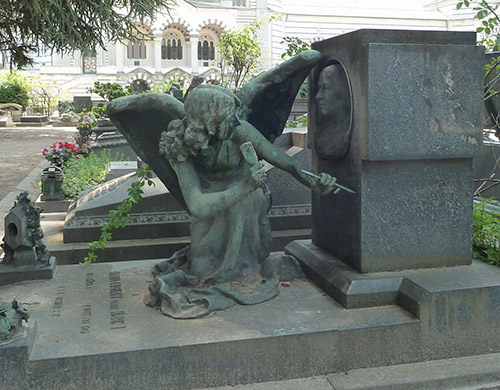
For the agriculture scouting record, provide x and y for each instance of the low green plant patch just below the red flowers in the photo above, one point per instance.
(84, 173)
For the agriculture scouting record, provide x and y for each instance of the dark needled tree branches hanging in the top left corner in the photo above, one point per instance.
(65, 25)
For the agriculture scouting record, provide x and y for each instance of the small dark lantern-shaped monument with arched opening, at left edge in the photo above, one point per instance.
(26, 256)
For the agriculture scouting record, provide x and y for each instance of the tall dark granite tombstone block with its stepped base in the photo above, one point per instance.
(405, 238)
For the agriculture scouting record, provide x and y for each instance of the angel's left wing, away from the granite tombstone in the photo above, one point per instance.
(141, 119)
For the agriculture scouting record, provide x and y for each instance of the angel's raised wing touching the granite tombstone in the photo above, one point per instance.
(268, 98)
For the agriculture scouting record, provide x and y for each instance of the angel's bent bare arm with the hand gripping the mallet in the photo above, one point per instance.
(205, 205)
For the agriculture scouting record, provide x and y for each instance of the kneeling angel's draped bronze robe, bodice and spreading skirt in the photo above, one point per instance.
(229, 260)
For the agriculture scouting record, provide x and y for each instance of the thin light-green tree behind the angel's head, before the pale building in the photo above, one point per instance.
(240, 53)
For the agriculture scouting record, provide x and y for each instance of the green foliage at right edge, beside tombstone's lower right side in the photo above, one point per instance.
(486, 231)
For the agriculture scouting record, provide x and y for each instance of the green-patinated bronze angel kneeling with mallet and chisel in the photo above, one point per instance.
(195, 150)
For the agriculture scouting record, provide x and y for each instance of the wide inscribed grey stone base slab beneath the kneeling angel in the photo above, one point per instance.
(95, 332)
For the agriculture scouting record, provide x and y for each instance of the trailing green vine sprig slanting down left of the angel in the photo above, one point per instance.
(117, 218)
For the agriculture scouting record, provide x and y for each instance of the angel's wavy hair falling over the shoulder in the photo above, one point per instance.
(206, 107)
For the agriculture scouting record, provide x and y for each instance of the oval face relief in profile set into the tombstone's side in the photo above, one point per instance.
(333, 102)
